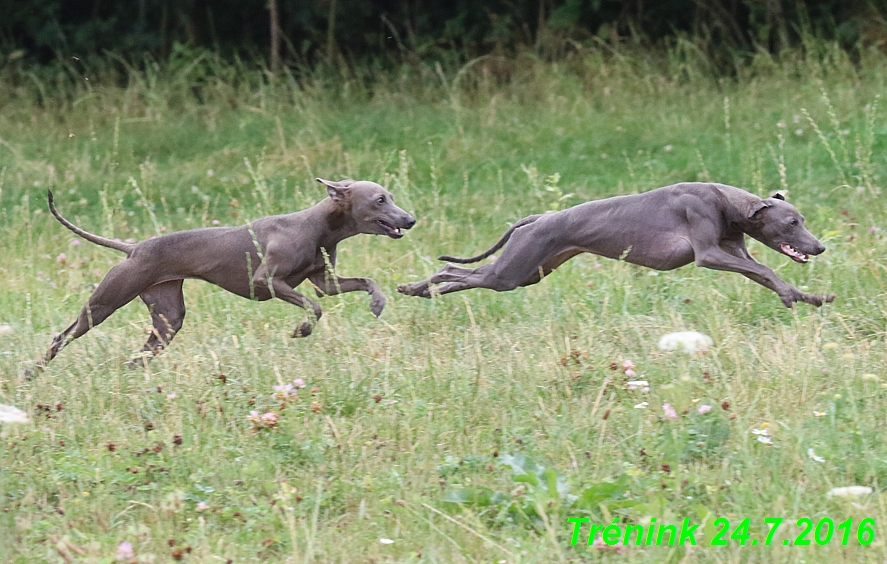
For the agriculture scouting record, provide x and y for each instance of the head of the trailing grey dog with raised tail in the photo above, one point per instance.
(371, 206)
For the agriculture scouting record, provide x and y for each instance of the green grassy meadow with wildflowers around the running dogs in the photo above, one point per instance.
(468, 428)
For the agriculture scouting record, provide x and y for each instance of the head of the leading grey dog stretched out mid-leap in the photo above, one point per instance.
(780, 226)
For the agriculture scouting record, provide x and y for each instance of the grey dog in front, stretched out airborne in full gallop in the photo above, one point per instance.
(662, 229)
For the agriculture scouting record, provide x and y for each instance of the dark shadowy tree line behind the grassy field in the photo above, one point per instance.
(307, 32)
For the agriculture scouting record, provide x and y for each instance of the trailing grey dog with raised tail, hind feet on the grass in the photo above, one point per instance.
(261, 260)
